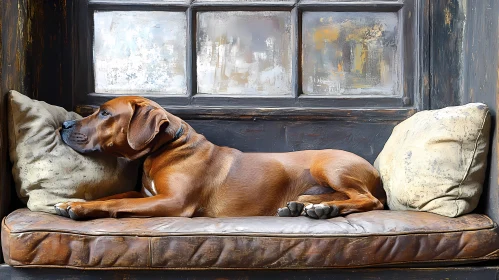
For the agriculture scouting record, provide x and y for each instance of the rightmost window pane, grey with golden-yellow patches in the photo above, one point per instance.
(350, 53)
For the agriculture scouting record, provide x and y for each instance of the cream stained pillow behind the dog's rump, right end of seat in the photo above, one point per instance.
(435, 161)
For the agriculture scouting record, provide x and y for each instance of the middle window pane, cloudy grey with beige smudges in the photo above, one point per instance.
(244, 53)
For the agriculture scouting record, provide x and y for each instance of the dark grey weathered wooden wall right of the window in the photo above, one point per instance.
(464, 68)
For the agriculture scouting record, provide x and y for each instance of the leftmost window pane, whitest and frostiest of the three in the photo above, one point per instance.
(140, 51)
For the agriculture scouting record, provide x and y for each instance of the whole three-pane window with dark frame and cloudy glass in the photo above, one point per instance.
(254, 56)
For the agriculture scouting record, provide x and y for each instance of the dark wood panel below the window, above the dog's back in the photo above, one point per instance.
(363, 138)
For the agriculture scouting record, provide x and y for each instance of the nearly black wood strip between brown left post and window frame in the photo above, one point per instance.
(51, 46)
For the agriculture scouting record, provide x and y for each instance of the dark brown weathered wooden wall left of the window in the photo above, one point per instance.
(34, 45)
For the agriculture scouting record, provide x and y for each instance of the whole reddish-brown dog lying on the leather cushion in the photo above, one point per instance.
(186, 175)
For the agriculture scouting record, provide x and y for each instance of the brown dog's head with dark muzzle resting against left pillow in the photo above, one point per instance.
(124, 126)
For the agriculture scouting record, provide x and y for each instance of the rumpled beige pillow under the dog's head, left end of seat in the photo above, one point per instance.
(46, 171)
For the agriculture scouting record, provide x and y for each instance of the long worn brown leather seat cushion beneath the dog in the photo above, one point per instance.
(376, 238)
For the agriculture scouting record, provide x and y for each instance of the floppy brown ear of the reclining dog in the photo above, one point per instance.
(144, 125)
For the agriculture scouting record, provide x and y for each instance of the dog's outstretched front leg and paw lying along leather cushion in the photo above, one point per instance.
(154, 206)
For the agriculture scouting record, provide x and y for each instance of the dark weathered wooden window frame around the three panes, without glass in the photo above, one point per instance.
(412, 49)
